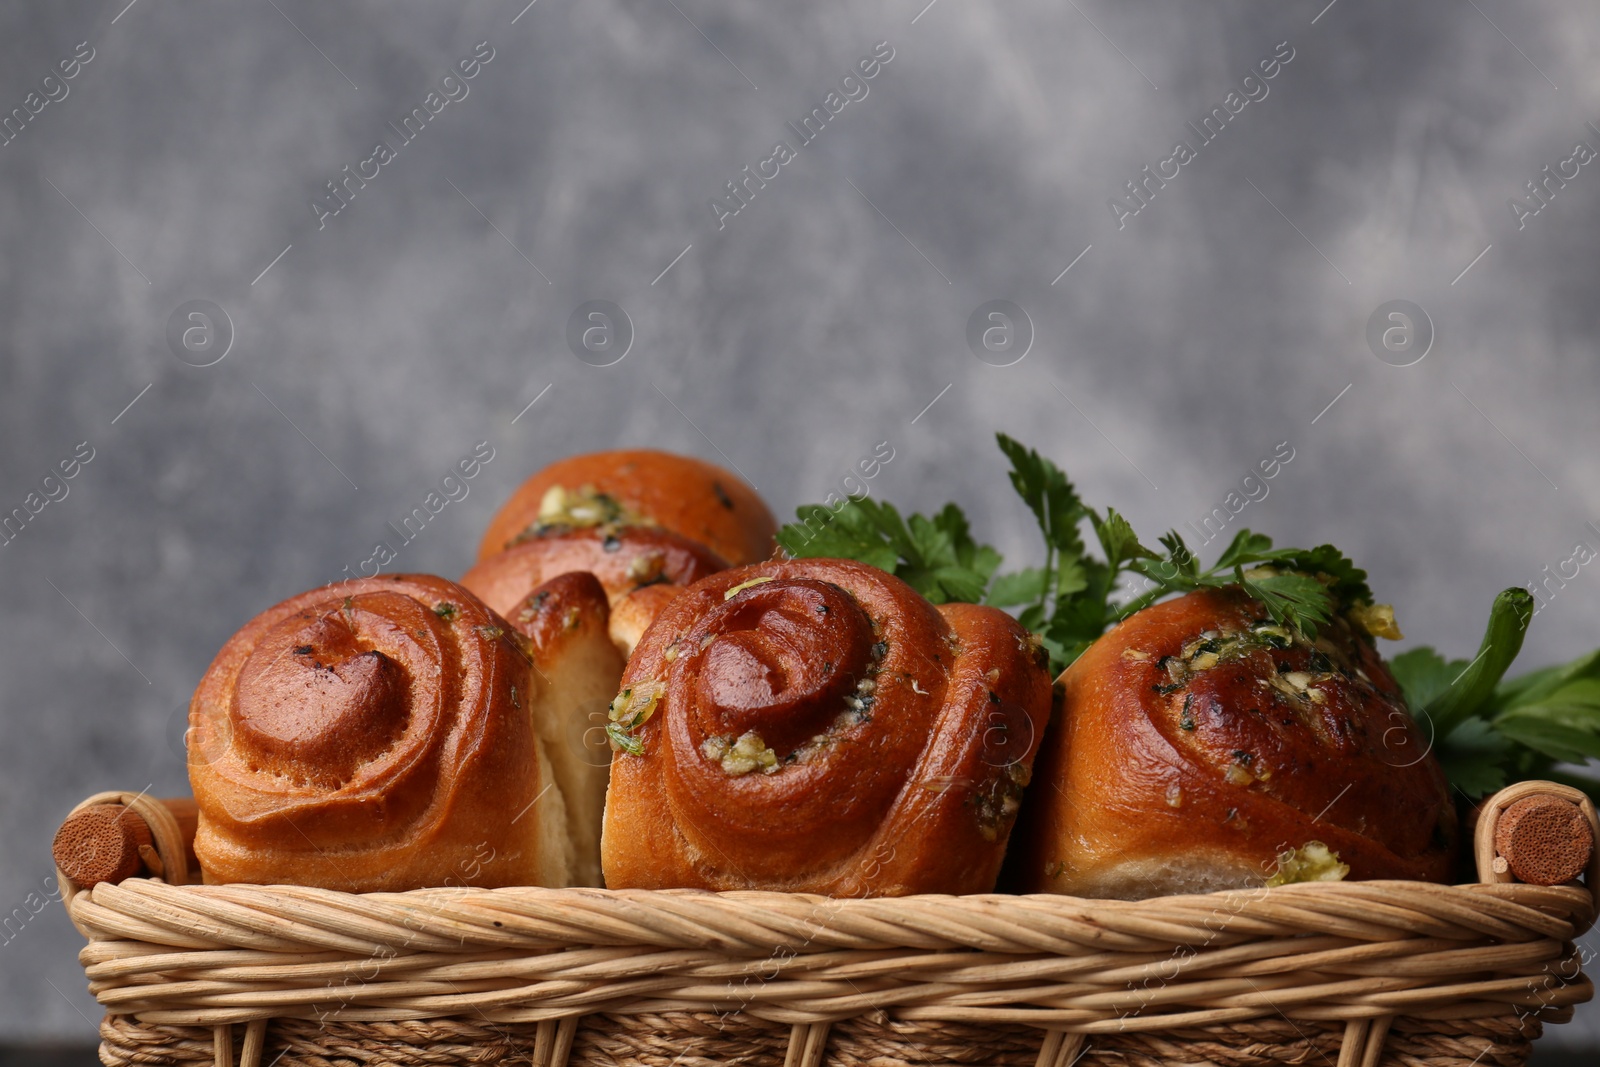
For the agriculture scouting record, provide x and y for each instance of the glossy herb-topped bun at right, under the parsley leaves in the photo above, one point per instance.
(1204, 748)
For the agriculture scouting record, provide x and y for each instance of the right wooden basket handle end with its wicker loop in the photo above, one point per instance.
(1542, 834)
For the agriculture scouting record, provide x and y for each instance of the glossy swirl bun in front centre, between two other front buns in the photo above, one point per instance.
(818, 727)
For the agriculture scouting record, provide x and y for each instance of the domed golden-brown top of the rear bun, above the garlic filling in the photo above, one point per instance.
(687, 497)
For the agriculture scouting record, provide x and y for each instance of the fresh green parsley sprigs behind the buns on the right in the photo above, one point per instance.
(1486, 730)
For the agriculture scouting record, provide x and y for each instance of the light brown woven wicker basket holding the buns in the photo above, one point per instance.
(1367, 973)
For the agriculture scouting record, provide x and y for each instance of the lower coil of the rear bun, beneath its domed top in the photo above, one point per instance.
(630, 562)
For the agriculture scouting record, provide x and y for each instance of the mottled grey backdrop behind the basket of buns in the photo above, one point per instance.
(1175, 354)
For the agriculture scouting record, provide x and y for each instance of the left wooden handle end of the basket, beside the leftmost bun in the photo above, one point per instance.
(121, 836)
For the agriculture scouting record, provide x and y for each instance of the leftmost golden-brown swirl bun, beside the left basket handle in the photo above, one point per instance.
(377, 735)
